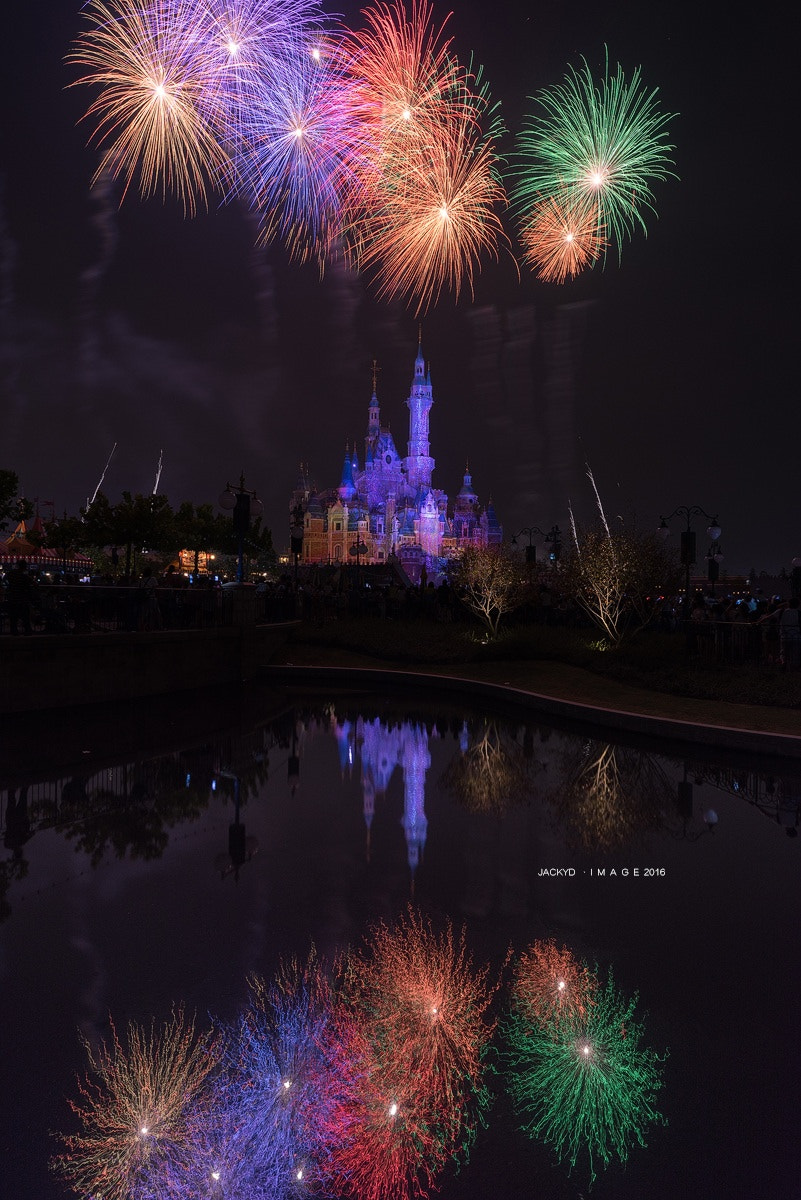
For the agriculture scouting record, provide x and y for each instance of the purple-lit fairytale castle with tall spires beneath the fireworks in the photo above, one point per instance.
(389, 507)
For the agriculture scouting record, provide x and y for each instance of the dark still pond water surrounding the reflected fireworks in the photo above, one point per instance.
(122, 896)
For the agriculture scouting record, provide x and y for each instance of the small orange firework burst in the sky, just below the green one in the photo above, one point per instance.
(563, 237)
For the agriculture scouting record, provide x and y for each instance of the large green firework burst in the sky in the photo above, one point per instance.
(603, 143)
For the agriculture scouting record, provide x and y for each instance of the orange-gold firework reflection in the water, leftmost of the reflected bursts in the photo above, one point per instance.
(135, 1109)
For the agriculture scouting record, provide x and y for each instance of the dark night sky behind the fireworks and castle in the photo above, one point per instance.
(668, 374)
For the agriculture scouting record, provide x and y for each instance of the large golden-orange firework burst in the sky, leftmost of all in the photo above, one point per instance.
(149, 65)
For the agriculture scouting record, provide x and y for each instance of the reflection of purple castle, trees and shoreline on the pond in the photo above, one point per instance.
(600, 796)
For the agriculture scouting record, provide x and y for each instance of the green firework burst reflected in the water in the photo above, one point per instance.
(586, 1087)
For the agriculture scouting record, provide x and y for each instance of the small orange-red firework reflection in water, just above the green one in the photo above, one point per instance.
(551, 986)
